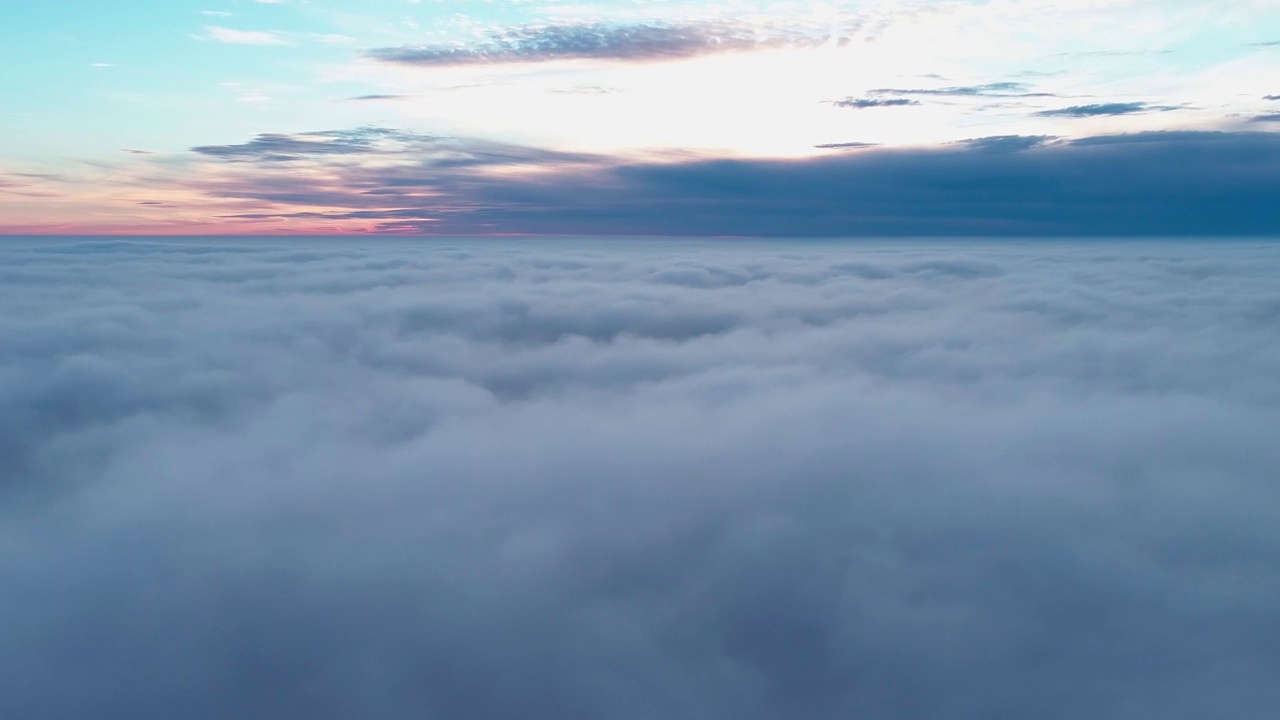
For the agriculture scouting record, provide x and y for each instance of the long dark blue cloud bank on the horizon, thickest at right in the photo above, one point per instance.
(1145, 184)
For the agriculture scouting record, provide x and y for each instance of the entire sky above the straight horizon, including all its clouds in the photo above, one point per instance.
(531, 117)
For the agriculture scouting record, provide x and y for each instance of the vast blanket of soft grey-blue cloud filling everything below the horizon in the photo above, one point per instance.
(623, 481)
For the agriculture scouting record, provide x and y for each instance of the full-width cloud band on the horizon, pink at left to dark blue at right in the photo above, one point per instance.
(395, 181)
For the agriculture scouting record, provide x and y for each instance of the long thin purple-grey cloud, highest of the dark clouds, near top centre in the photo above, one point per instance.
(637, 43)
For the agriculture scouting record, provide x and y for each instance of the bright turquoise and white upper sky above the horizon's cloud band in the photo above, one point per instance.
(97, 83)
